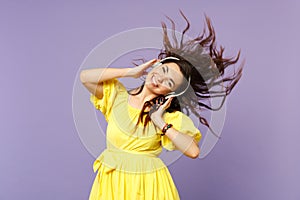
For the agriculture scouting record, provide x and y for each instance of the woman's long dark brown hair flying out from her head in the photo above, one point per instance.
(200, 59)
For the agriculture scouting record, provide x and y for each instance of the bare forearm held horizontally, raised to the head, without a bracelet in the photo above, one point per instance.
(98, 75)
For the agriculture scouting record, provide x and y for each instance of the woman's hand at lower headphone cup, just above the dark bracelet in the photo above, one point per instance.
(156, 112)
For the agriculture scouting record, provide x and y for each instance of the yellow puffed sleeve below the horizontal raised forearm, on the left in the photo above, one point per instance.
(110, 90)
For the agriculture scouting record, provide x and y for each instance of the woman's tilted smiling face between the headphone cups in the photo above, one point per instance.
(164, 78)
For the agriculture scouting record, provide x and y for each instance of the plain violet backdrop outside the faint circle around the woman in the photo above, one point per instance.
(43, 45)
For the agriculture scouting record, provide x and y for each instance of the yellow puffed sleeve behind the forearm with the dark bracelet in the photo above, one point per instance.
(181, 123)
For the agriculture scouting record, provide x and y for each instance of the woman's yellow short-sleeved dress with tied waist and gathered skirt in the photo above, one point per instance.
(129, 168)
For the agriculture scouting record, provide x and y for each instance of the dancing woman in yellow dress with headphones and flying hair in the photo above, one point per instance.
(143, 120)
